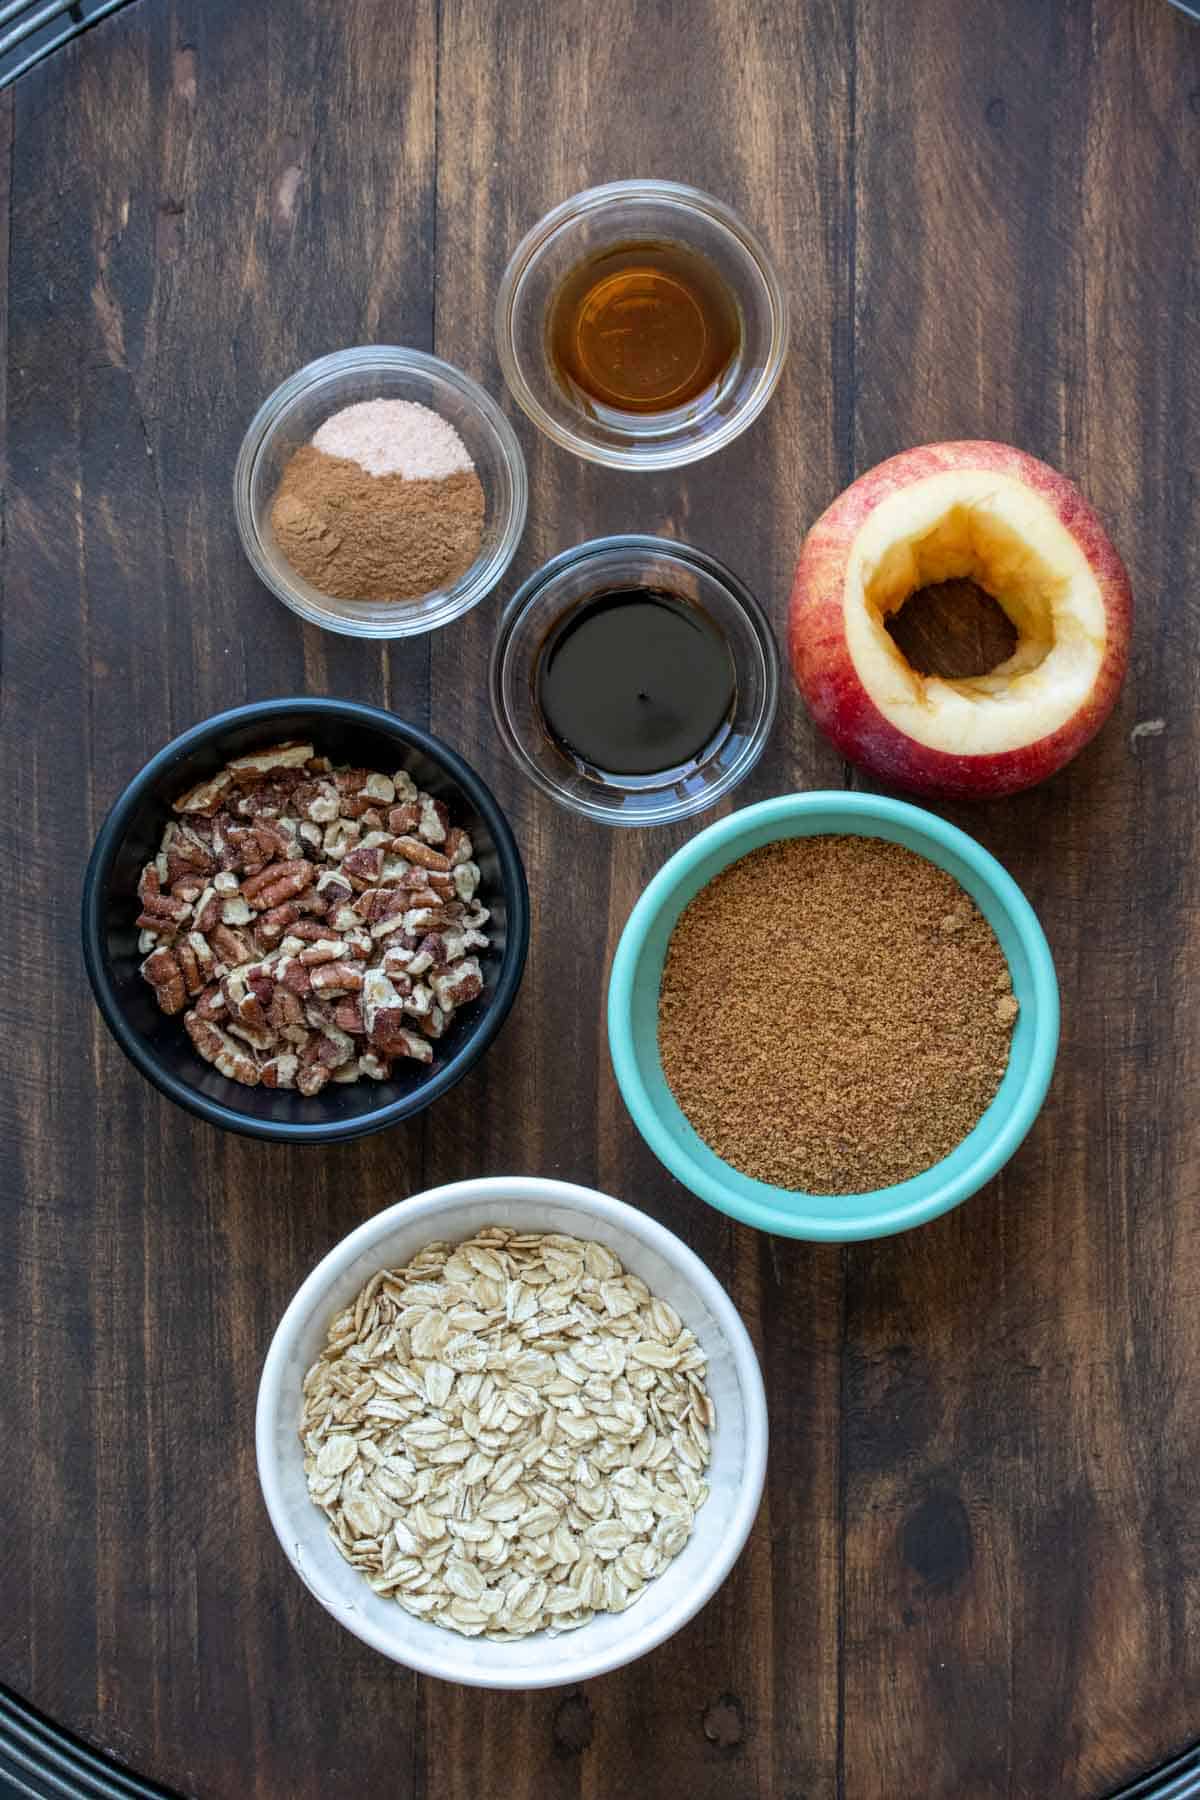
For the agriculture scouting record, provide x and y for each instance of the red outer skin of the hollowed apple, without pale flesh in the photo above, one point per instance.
(827, 674)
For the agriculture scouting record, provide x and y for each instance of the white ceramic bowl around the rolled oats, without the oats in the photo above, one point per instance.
(735, 1475)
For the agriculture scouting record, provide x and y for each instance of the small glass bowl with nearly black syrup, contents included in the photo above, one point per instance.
(634, 679)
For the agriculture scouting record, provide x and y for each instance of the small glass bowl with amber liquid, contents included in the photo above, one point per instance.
(641, 325)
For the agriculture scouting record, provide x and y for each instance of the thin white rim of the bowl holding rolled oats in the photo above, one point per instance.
(539, 1189)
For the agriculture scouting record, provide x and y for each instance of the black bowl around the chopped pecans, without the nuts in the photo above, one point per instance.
(159, 1047)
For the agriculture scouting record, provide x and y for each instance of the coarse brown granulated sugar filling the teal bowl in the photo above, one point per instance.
(836, 1014)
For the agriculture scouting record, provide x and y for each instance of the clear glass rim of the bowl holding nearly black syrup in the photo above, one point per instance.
(596, 550)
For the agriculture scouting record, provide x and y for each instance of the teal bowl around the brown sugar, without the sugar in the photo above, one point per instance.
(634, 1020)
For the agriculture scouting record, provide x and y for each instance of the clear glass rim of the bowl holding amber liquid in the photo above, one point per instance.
(688, 201)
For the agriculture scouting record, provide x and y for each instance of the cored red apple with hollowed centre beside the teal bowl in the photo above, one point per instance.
(1028, 537)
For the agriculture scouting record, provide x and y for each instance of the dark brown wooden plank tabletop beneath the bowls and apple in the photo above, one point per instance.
(978, 1565)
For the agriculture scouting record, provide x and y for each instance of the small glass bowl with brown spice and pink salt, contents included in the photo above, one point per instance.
(381, 492)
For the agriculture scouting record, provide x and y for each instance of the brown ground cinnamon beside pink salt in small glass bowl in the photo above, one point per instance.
(375, 537)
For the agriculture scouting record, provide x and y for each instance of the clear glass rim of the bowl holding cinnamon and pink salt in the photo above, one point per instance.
(458, 598)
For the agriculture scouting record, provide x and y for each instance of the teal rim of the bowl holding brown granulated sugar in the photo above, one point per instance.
(884, 1210)
